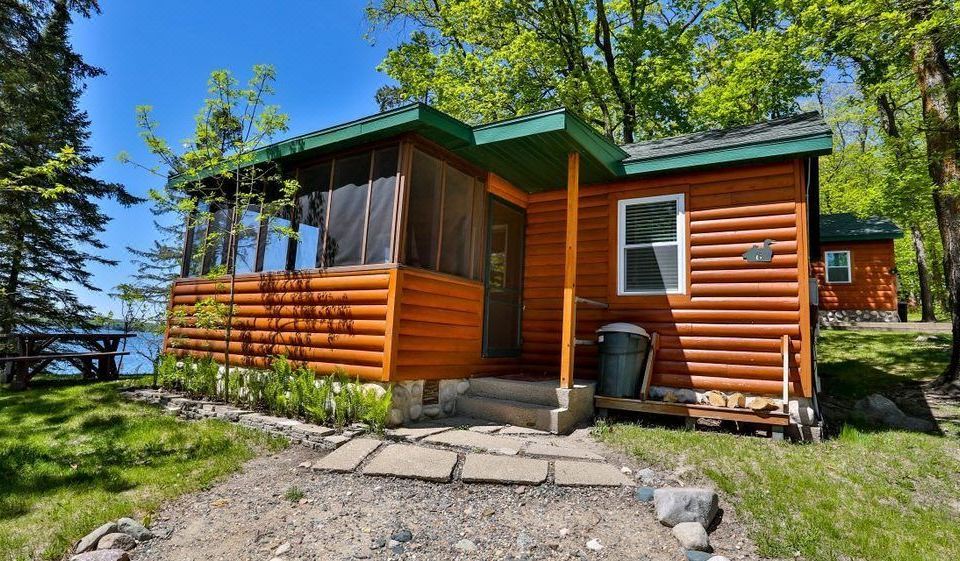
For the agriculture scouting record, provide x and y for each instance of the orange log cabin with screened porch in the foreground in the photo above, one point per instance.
(469, 267)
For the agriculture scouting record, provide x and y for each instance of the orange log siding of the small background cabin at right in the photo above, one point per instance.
(873, 285)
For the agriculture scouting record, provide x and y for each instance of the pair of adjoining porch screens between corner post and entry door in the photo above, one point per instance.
(444, 218)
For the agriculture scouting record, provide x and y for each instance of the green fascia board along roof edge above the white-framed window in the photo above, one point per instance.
(817, 145)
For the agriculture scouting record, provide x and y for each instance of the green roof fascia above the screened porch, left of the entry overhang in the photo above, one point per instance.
(417, 116)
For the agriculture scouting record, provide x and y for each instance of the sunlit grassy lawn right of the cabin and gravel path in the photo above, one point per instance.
(868, 494)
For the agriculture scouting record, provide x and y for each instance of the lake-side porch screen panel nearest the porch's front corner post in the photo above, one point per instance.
(379, 248)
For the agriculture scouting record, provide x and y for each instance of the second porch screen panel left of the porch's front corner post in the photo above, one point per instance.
(348, 207)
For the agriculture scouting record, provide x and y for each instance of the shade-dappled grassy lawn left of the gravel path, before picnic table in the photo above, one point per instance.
(74, 456)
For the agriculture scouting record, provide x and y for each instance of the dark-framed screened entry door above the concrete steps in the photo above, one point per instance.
(503, 279)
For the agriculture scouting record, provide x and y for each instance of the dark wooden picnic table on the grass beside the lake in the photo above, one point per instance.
(96, 356)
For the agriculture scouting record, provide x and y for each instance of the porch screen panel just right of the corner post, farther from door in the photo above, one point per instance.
(423, 214)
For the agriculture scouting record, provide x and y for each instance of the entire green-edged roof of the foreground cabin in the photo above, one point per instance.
(531, 151)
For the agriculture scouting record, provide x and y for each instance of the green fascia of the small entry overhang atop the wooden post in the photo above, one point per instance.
(601, 149)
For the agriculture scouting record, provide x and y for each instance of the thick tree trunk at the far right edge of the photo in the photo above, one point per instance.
(942, 134)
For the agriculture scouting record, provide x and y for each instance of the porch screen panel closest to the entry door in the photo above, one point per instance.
(458, 213)
